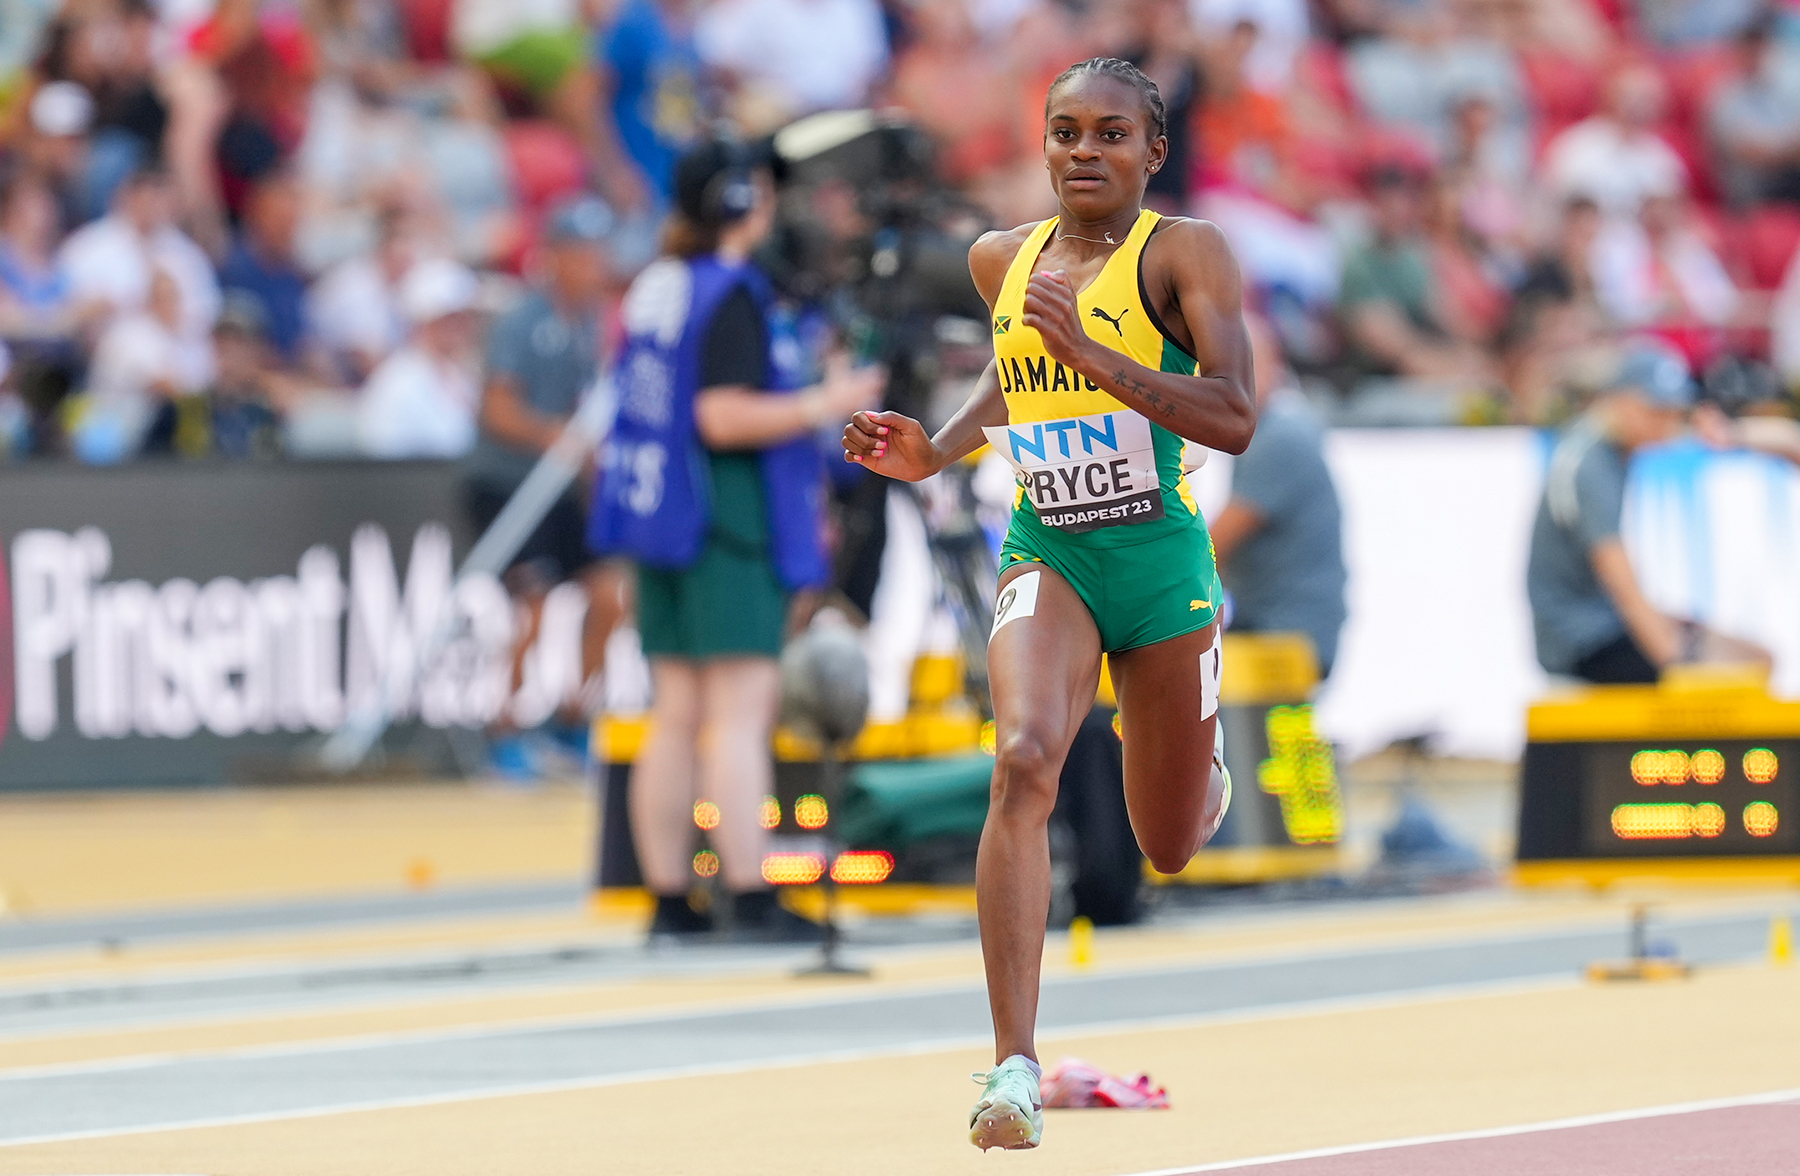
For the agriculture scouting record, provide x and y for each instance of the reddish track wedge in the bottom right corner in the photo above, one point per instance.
(1736, 1141)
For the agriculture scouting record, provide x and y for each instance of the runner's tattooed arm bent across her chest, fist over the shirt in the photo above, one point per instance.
(1196, 267)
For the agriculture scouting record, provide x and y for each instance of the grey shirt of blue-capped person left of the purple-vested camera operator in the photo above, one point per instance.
(552, 361)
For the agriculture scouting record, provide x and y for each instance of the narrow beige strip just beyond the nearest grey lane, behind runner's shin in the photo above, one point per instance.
(1117, 952)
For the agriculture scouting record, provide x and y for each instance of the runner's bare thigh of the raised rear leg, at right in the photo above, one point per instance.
(1169, 746)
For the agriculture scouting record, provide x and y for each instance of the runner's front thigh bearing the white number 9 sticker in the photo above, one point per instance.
(1043, 658)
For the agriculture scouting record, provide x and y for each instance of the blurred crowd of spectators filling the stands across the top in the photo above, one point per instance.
(260, 228)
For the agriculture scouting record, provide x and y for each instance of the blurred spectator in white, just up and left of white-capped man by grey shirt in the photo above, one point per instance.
(354, 316)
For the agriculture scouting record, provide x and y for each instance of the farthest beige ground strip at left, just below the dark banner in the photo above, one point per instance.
(139, 851)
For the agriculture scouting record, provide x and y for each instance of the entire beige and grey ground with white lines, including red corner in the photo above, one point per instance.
(215, 1017)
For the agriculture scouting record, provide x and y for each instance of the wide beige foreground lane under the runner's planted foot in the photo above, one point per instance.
(1245, 1089)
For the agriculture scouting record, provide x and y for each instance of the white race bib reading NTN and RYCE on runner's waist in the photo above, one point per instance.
(1084, 473)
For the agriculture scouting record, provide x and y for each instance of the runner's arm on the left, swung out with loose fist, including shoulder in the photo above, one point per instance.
(897, 446)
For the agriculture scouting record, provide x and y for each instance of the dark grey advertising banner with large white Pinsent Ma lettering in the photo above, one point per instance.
(179, 624)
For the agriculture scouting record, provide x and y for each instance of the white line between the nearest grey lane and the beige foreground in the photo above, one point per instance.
(1263, 1013)
